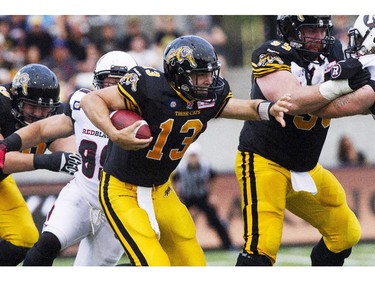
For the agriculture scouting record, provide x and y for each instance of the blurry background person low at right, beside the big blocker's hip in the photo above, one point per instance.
(348, 155)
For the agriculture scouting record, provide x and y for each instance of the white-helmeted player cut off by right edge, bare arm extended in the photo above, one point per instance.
(362, 47)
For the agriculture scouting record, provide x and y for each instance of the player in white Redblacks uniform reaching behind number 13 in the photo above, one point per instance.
(76, 215)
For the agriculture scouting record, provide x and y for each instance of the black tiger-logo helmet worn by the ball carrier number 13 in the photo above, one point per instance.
(188, 54)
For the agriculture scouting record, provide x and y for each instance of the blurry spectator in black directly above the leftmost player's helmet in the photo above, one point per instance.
(38, 36)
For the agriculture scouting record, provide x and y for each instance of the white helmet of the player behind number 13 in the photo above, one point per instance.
(112, 64)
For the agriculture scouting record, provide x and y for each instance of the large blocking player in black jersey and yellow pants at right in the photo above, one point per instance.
(278, 169)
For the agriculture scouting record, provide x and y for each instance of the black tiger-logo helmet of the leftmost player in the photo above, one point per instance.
(37, 85)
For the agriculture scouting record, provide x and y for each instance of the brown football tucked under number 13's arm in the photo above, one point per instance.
(123, 118)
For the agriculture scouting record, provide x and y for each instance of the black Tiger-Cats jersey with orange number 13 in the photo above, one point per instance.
(175, 122)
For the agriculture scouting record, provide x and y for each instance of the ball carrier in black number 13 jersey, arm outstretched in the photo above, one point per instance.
(135, 191)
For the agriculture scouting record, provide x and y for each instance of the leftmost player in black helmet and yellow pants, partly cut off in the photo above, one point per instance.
(32, 95)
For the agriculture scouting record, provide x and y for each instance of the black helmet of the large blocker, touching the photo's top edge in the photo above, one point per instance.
(289, 29)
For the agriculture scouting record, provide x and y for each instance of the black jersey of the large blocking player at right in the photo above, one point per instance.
(298, 145)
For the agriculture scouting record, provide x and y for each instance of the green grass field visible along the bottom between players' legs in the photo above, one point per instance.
(362, 255)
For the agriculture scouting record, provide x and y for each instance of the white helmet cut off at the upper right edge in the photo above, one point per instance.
(362, 37)
